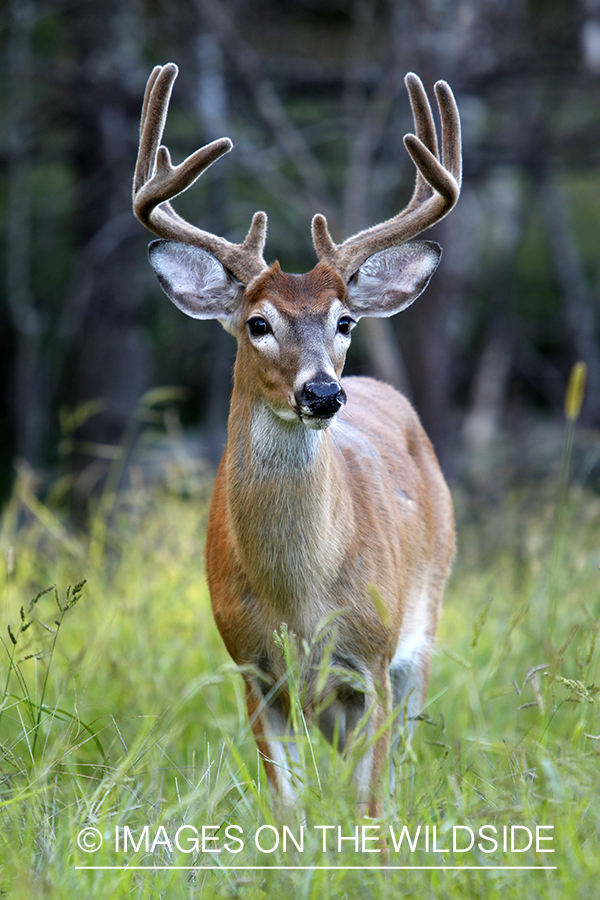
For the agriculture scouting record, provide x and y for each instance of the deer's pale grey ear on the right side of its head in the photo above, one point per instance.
(392, 279)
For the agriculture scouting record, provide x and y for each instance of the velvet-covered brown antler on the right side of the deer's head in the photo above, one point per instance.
(436, 189)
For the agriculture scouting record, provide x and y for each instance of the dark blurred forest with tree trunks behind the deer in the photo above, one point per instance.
(312, 94)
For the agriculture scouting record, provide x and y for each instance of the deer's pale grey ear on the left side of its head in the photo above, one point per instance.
(196, 282)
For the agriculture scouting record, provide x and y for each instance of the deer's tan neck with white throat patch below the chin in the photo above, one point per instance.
(286, 499)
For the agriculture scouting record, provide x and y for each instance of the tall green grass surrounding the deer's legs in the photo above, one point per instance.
(131, 715)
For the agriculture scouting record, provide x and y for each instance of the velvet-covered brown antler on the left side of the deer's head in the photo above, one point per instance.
(157, 181)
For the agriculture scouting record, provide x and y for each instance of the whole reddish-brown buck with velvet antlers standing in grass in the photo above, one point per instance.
(330, 514)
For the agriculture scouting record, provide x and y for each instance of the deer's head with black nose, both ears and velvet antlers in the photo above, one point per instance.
(298, 325)
